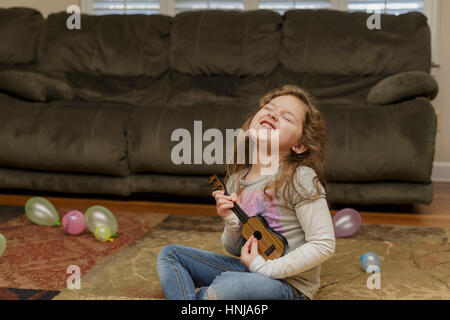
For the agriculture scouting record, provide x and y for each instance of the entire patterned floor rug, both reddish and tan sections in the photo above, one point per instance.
(415, 260)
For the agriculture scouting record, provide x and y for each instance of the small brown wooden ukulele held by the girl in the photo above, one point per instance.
(271, 245)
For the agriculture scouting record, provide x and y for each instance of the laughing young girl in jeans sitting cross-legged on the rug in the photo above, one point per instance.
(291, 199)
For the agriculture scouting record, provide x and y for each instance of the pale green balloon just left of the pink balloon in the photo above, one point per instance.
(42, 212)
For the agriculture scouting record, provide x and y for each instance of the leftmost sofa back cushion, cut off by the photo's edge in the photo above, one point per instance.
(19, 31)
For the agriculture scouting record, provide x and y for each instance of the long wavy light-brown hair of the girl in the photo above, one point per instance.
(314, 137)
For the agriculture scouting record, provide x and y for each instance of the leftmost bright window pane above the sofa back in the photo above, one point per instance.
(100, 7)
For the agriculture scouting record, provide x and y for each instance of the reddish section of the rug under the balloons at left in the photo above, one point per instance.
(38, 257)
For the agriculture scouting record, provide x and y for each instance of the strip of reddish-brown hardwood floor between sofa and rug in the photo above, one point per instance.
(437, 214)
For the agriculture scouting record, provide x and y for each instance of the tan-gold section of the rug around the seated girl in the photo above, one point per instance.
(415, 262)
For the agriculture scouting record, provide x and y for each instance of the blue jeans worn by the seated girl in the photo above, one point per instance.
(183, 269)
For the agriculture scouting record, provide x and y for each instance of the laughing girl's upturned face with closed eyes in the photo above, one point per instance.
(286, 114)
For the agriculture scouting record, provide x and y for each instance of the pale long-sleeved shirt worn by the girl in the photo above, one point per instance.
(306, 225)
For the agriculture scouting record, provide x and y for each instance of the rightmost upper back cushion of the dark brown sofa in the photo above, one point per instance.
(340, 43)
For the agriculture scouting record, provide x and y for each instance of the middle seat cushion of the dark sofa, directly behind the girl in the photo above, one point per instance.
(150, 131)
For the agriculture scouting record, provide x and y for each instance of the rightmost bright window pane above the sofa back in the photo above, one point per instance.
(385, 6)
